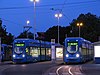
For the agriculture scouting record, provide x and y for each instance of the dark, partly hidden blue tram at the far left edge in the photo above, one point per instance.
(6, 52)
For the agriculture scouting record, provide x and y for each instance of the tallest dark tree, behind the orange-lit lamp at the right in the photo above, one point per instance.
(90, 29)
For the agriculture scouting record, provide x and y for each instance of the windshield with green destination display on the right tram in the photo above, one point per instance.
(72, 47)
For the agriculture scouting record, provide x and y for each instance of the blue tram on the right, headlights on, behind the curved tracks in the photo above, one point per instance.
(77, 50)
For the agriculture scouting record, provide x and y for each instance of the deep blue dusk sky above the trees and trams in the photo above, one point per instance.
(15, 13)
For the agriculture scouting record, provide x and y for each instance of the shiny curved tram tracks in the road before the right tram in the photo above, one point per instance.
(65, 70)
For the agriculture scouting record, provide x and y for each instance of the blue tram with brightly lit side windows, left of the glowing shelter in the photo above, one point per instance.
(29, 50)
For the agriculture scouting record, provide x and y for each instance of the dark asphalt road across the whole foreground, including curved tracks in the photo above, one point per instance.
(48, 68)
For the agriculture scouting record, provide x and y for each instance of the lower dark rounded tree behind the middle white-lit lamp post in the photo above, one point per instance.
(52, 33)
